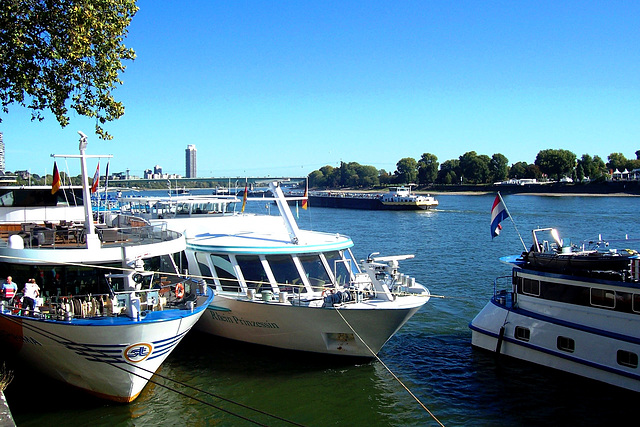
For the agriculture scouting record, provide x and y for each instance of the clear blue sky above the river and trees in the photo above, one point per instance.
(281, 88)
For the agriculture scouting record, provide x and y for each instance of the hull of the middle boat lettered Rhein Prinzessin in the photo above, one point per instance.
(341, 331)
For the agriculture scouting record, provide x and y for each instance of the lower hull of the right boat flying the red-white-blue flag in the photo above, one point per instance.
(594, 356)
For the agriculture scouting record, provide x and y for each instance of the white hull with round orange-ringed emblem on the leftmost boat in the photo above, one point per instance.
(108, 357)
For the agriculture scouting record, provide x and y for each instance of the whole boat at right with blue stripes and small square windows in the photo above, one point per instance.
(572, 307)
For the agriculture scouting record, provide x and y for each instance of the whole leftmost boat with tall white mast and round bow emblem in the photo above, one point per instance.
(104, 303)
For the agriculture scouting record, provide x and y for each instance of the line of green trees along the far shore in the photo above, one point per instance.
(472, 168)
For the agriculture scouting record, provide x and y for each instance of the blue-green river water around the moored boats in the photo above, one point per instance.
(431, 355)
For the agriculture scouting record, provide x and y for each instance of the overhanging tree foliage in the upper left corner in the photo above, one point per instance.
(64, 54)
